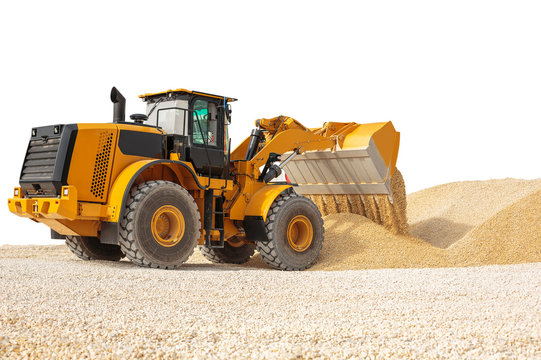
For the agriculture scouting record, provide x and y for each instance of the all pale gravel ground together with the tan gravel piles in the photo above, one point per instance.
(421, 295)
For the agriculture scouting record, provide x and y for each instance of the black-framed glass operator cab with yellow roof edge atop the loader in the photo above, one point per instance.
(196, 127)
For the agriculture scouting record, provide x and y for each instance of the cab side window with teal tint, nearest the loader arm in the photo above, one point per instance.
(205, 123)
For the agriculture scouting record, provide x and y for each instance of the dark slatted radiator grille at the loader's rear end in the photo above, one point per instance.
(40, 160)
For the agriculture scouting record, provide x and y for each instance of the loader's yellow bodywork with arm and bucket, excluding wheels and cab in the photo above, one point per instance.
(107, 160)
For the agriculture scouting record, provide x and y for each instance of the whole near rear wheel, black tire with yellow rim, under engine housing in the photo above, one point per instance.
(160, 225)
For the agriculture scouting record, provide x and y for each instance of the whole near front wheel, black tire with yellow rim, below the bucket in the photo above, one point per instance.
(295, 231)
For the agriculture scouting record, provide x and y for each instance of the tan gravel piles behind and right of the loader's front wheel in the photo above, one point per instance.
(467, 223)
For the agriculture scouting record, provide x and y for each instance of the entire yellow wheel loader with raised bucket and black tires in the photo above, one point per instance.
(162, 183)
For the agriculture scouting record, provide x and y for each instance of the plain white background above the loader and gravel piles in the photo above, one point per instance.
(461, 80)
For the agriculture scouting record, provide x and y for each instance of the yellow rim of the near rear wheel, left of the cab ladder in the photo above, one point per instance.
(168, 226)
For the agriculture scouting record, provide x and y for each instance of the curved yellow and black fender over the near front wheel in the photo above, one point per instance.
(257, 210)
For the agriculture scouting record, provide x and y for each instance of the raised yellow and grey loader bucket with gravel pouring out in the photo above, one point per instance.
(358, 176)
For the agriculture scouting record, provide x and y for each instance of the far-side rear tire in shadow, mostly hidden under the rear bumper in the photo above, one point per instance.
(90, 248)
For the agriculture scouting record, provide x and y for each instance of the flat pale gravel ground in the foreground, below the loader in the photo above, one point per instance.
(54, 304)
